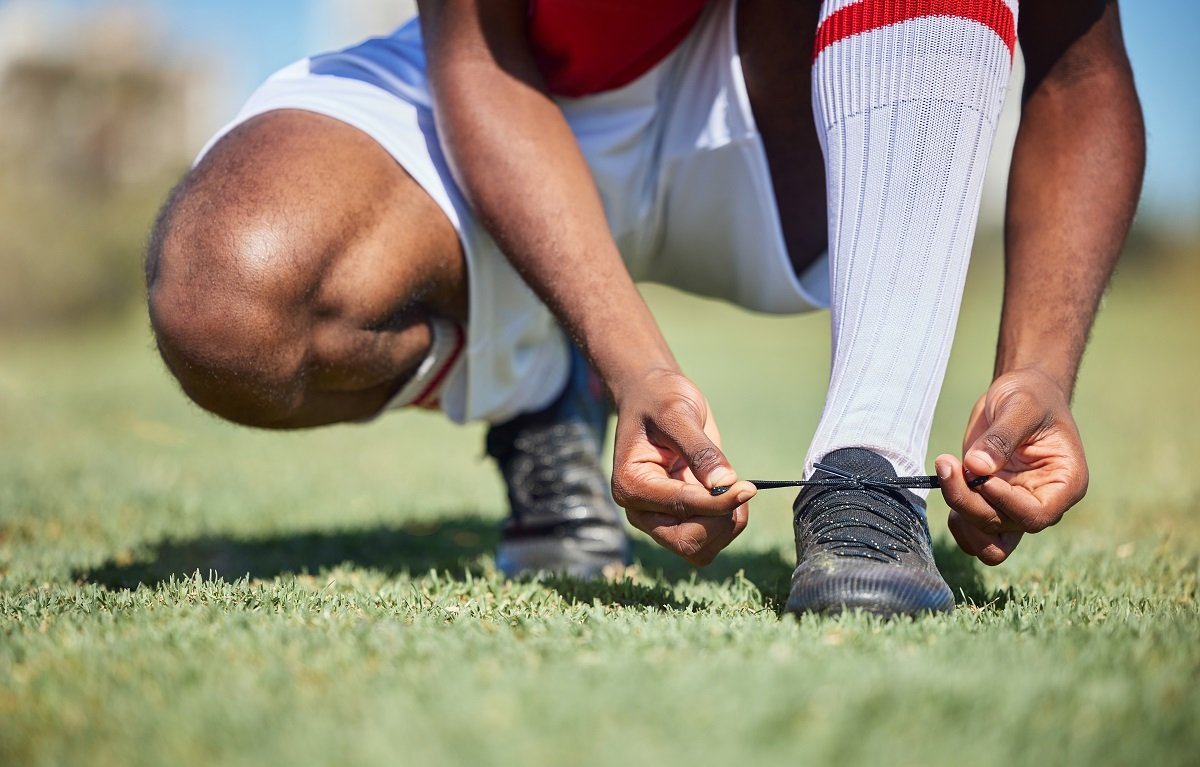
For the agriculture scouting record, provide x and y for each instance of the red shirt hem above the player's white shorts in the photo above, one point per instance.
(589, 46)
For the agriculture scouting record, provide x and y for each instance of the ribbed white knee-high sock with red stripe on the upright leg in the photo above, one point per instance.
(907, 95)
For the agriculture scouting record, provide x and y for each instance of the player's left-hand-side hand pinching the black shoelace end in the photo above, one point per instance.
(667, 460)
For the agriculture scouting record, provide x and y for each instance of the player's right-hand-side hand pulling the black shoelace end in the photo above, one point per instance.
(1022, 433)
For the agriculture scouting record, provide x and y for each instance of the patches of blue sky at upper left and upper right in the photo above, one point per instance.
(251, 39)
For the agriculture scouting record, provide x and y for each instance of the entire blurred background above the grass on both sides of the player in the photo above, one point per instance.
(105, 103)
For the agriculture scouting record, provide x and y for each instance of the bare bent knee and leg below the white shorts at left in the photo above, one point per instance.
(275, 292)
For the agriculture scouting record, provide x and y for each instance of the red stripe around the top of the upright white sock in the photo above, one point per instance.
(871, 15)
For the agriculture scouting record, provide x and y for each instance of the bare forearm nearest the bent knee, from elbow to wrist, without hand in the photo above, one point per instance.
(520, 167)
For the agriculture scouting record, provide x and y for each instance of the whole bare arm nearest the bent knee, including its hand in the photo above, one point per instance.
(518, 163)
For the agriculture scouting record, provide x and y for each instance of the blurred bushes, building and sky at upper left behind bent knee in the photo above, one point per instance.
(104, 104)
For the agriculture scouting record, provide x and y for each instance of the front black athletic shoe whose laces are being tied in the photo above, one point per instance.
(863, 546)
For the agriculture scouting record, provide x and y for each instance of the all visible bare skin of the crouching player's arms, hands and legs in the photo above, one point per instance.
(281, 320)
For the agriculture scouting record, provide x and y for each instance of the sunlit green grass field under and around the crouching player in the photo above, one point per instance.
(177, 591)
